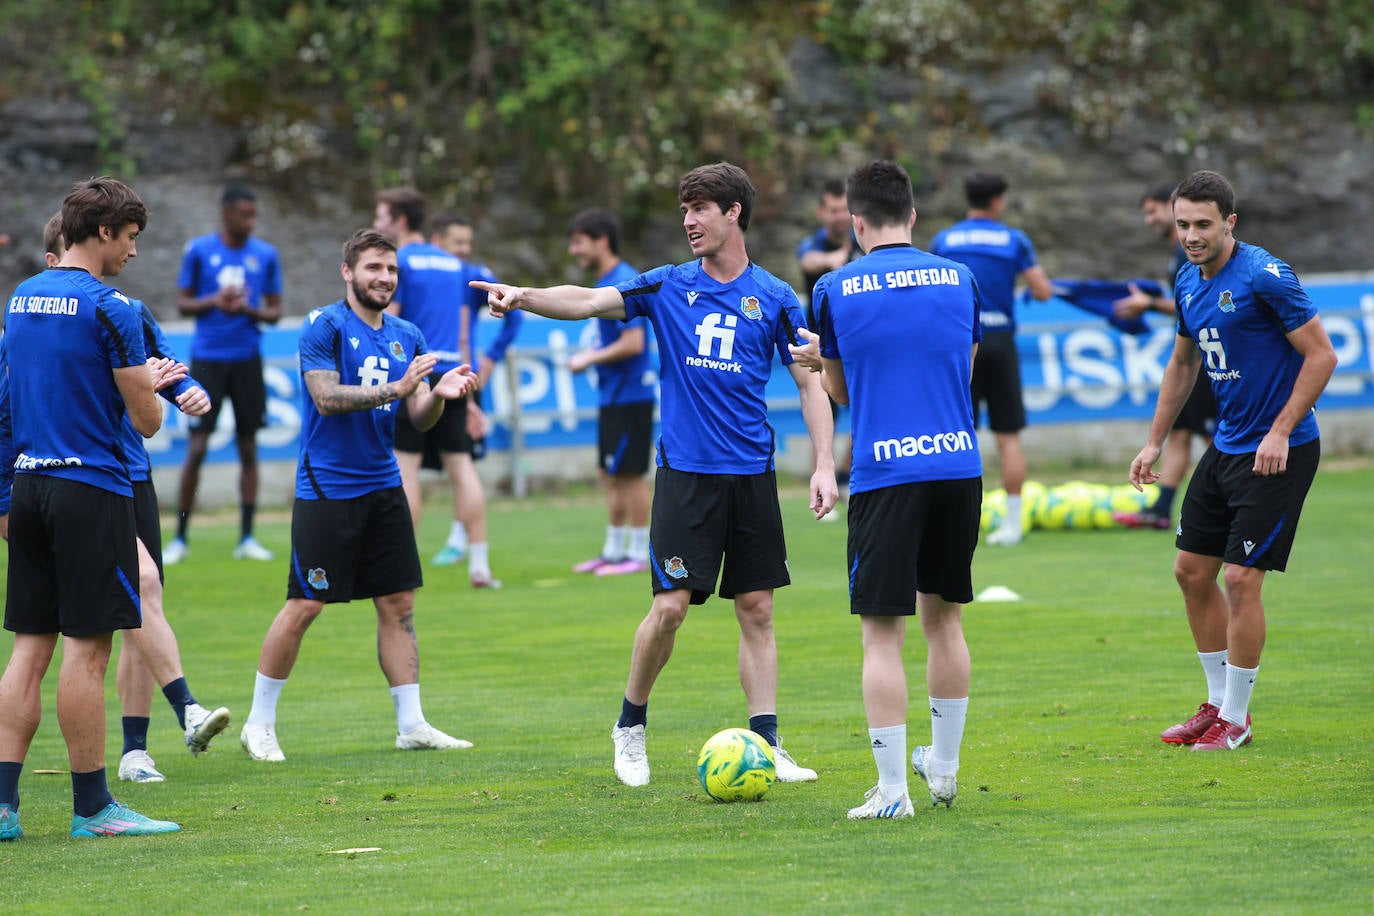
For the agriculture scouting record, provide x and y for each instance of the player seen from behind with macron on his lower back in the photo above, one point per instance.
(905, 321)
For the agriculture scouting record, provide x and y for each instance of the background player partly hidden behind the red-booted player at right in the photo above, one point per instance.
(1199, 415)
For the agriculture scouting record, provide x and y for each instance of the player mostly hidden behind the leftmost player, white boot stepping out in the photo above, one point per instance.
(149, 656)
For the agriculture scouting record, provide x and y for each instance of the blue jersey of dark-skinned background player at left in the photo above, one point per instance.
(210, 266)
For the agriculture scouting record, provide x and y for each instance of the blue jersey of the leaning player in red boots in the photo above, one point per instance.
(1240, 321)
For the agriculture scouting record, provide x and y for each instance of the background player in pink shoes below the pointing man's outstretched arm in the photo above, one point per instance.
(627, 385)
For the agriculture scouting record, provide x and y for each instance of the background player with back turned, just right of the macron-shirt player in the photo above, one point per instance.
(1000, 256)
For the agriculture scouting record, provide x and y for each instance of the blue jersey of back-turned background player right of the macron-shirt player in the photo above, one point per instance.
(997, 255)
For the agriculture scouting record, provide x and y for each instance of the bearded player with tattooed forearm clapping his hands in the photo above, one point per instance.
(352, 535)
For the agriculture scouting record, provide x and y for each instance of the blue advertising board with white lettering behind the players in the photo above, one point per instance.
(1077, 369)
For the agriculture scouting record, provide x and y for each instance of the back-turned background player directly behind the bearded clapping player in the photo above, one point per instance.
(433, 295)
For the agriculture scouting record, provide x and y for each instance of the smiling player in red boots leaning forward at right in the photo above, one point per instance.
(1248, 323)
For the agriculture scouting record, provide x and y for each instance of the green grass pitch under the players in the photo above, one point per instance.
(1068, 800)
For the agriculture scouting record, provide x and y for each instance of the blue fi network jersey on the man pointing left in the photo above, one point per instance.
(717, 344)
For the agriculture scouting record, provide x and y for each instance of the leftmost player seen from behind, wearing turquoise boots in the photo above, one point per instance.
(74, 551)
